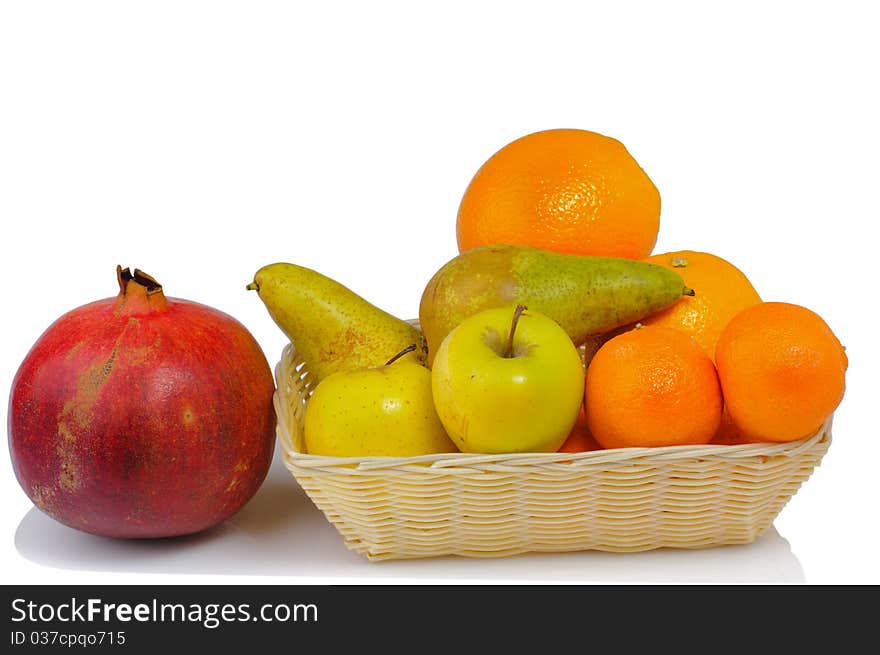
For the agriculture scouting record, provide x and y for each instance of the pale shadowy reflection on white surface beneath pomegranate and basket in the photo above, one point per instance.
(280, 533)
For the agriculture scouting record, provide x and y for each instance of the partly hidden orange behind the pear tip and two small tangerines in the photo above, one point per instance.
(721, 290)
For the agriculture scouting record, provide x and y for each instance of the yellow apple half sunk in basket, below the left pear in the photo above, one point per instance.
(379, 411)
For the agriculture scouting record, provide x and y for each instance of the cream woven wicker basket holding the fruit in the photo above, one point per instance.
(472, 505)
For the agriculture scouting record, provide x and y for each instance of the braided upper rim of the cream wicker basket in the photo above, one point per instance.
(616, 456)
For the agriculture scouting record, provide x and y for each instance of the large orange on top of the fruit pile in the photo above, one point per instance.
(566, 190)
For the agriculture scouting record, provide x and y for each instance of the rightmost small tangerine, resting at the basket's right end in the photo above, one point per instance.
(782, 371)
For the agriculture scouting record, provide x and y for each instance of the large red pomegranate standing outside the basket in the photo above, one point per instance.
(142, 415)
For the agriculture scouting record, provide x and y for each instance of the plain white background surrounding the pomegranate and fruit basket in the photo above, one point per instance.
(201, 140)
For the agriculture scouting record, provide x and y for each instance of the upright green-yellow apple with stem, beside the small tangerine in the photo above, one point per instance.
(508, 380)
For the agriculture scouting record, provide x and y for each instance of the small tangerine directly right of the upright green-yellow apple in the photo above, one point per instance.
(652, 386)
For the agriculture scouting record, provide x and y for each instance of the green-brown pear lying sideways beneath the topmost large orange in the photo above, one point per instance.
(585, 295)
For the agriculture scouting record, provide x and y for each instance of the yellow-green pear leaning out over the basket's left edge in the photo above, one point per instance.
(332, 328)
